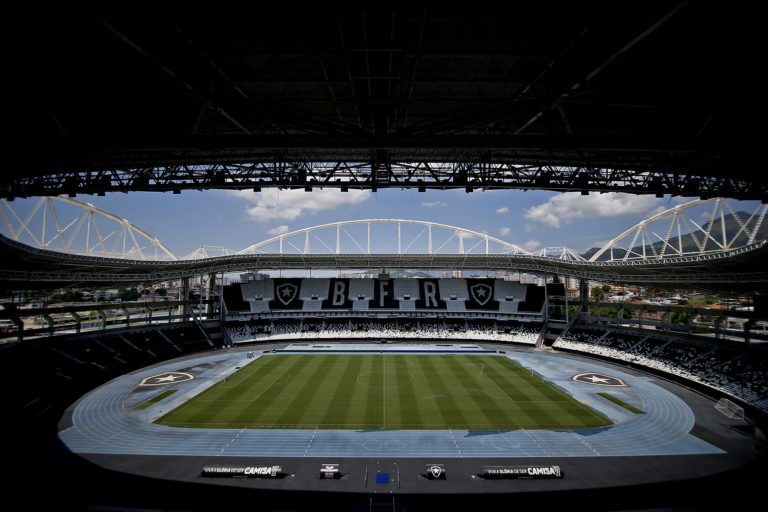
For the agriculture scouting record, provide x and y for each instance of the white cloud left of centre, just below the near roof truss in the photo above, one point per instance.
(273, 204)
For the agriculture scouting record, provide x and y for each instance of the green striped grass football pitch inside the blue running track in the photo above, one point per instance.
(384, 392)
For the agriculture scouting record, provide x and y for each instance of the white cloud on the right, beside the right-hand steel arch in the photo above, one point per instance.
(563, 208)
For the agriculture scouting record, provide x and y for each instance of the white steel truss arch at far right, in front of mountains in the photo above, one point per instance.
(698, 228)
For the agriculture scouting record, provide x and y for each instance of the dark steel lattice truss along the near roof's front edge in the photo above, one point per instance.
(393, 174)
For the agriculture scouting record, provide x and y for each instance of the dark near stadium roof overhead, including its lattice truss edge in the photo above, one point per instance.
(647, 97)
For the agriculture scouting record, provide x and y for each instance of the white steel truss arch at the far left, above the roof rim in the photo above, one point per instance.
(73, 227)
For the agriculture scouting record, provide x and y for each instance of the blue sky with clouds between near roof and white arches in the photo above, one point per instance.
(235, 220)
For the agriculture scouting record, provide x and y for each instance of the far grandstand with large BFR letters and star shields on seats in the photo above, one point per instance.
(284, 309)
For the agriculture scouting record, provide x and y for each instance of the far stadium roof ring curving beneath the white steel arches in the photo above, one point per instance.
(28, 267)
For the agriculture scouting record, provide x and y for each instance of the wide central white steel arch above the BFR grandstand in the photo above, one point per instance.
(407, 237)
